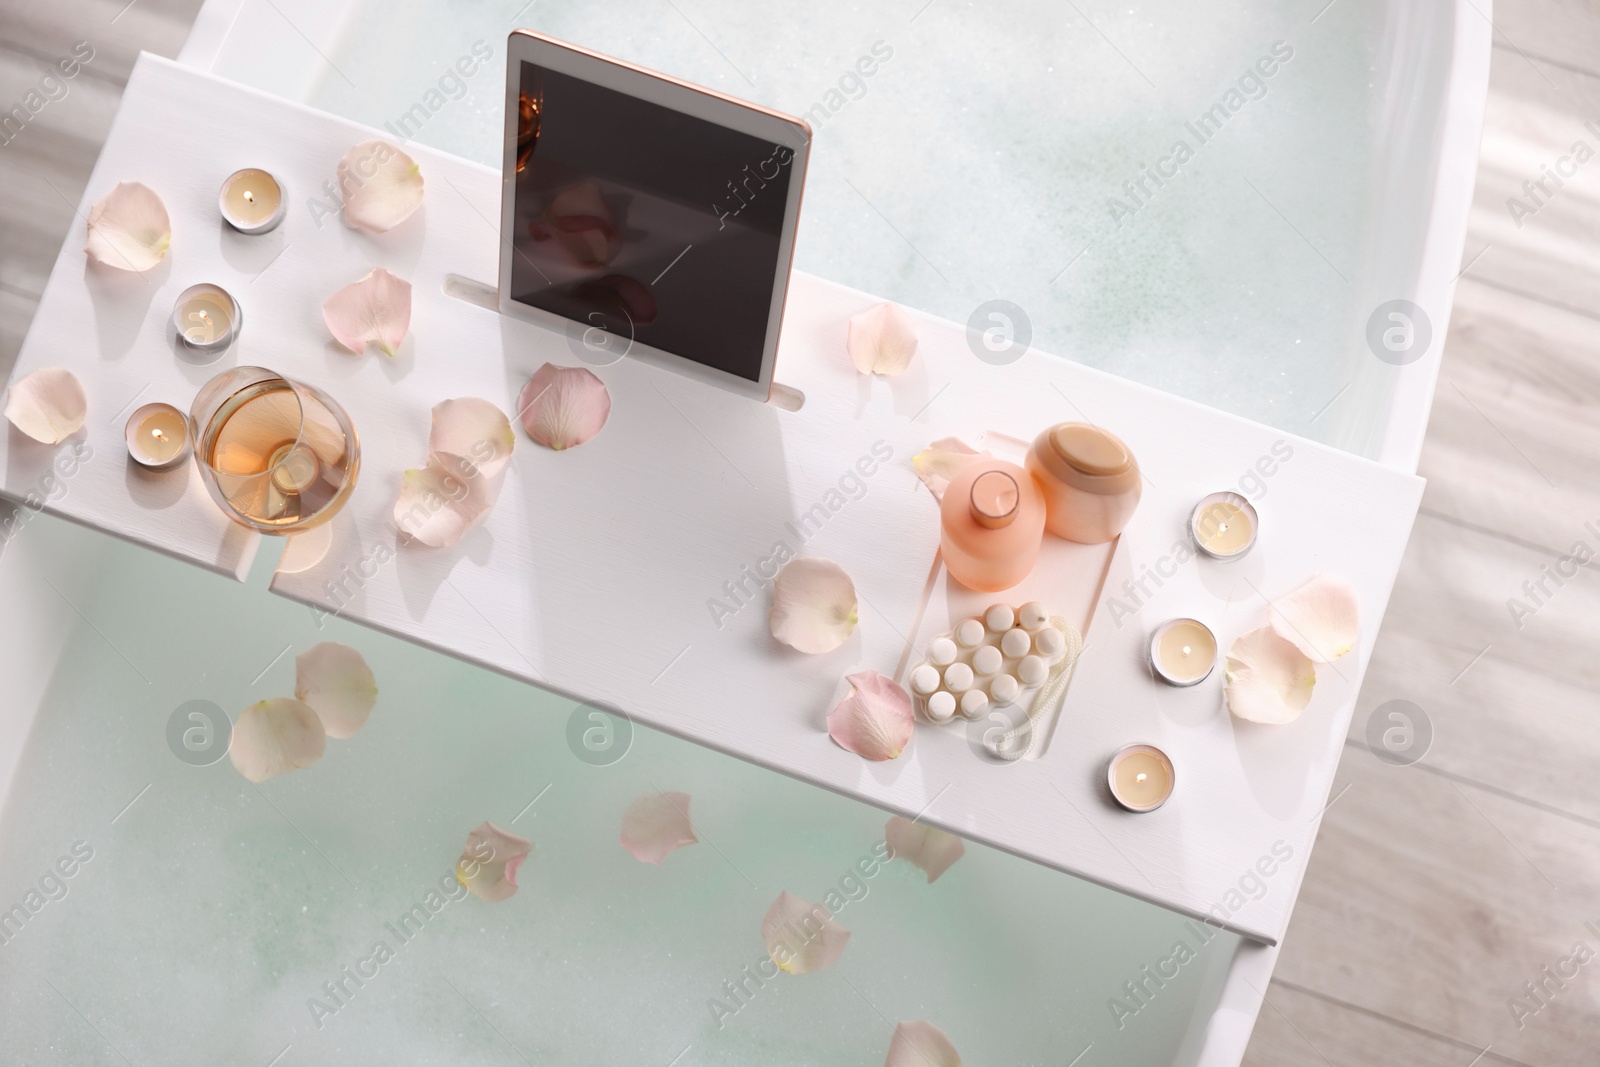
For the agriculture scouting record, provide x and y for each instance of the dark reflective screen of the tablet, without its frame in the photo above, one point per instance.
(644, 222)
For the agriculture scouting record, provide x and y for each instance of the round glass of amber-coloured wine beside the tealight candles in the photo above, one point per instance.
(278, 457)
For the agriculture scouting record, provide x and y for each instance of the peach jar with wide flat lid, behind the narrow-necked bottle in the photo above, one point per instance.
(1090, 482)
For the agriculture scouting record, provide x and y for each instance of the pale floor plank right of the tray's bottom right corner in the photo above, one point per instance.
(1430, 903)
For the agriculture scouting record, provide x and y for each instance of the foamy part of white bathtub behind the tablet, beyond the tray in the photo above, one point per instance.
(978, 162)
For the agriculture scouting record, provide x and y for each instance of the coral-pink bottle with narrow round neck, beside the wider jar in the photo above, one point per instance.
(993, 524)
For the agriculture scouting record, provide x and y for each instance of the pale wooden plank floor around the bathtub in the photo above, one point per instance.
(1436, 890)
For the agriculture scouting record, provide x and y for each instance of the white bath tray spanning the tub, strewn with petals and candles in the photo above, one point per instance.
(687, 492)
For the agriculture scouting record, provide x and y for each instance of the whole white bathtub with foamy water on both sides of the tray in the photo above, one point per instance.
(975, 175)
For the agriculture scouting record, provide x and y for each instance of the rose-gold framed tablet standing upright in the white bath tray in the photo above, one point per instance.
(644, 217)
